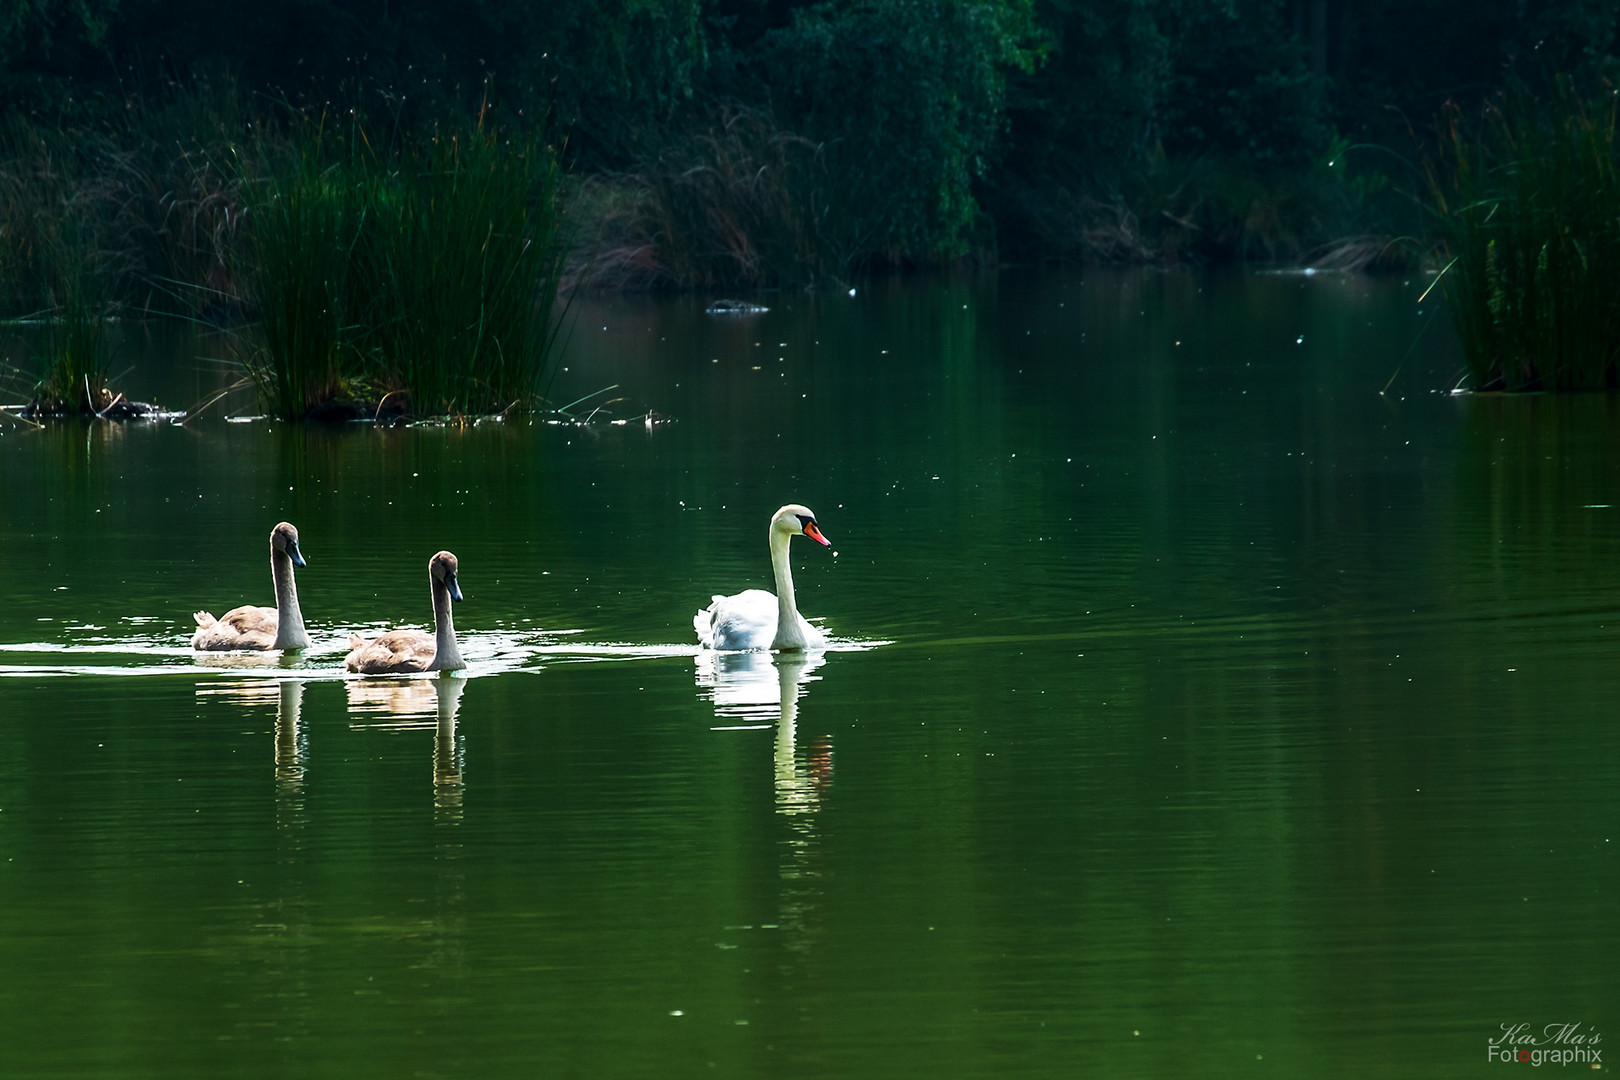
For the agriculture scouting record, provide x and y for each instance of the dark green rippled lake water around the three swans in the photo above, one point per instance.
(1213, 694)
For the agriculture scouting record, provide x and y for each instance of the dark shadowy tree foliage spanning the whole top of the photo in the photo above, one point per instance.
(942, 127)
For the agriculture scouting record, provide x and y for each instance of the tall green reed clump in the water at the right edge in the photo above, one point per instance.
(1528, 206)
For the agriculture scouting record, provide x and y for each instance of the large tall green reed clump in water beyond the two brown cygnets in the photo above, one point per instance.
(419, 279)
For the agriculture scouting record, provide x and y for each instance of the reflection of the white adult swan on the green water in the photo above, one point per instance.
(757, 691)
